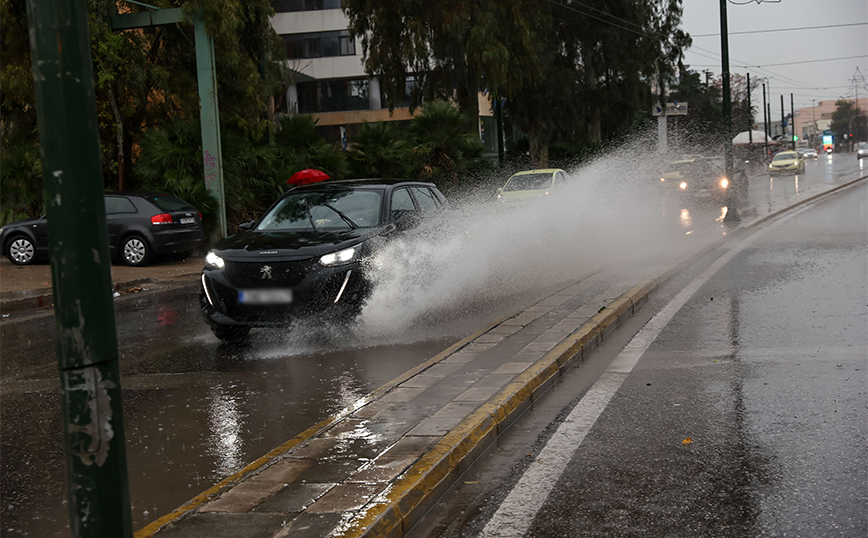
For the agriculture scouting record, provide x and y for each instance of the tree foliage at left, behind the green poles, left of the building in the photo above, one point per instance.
(144, 76)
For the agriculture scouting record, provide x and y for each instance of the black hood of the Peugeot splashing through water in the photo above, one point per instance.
(286, 246)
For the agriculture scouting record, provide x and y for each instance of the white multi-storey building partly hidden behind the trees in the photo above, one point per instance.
(329, 80)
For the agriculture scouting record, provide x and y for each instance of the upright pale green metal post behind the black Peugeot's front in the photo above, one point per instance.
(212, 152)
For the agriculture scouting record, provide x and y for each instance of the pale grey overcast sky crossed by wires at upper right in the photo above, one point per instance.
(829, 79)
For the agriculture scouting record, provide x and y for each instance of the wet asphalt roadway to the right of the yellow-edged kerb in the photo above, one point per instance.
(746, 416)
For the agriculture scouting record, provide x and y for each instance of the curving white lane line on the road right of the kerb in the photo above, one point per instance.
(515, 515)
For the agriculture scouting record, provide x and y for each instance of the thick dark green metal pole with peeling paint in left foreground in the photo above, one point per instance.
(90, 388)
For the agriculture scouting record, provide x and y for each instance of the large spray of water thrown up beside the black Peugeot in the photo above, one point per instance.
(480, 254)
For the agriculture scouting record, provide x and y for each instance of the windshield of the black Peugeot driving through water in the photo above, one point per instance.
(324, 210)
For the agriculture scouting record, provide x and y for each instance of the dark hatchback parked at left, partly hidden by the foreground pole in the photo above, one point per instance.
(140, 226)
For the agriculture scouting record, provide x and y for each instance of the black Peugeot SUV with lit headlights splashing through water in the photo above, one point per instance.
(306, 255)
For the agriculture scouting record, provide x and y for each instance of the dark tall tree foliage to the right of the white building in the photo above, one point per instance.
(572, 72)
